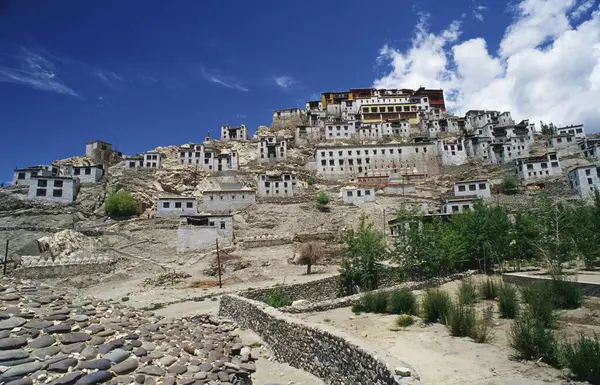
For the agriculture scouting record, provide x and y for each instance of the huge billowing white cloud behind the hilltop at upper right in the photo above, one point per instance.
(546, 68)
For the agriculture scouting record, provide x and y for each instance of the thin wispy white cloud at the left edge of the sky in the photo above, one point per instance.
(33, 70)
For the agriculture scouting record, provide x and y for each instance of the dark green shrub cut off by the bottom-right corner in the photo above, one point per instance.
(582, 357)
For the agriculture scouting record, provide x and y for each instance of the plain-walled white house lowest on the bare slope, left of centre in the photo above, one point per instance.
(201, 232)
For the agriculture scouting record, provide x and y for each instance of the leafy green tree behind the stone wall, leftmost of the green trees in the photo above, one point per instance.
(363, 249)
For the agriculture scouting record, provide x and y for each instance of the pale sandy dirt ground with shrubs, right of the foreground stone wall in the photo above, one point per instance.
(441, 359)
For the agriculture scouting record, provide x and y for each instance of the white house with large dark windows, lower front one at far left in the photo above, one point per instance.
(53, 189)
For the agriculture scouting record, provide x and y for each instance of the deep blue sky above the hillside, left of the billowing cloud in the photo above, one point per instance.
(141, 74)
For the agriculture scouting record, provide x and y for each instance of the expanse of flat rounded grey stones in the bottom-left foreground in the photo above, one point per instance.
(47, 337)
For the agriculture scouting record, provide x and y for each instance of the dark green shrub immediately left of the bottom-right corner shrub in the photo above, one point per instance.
(533, 341)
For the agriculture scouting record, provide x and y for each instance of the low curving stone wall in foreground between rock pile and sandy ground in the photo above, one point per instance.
(325, 352)
